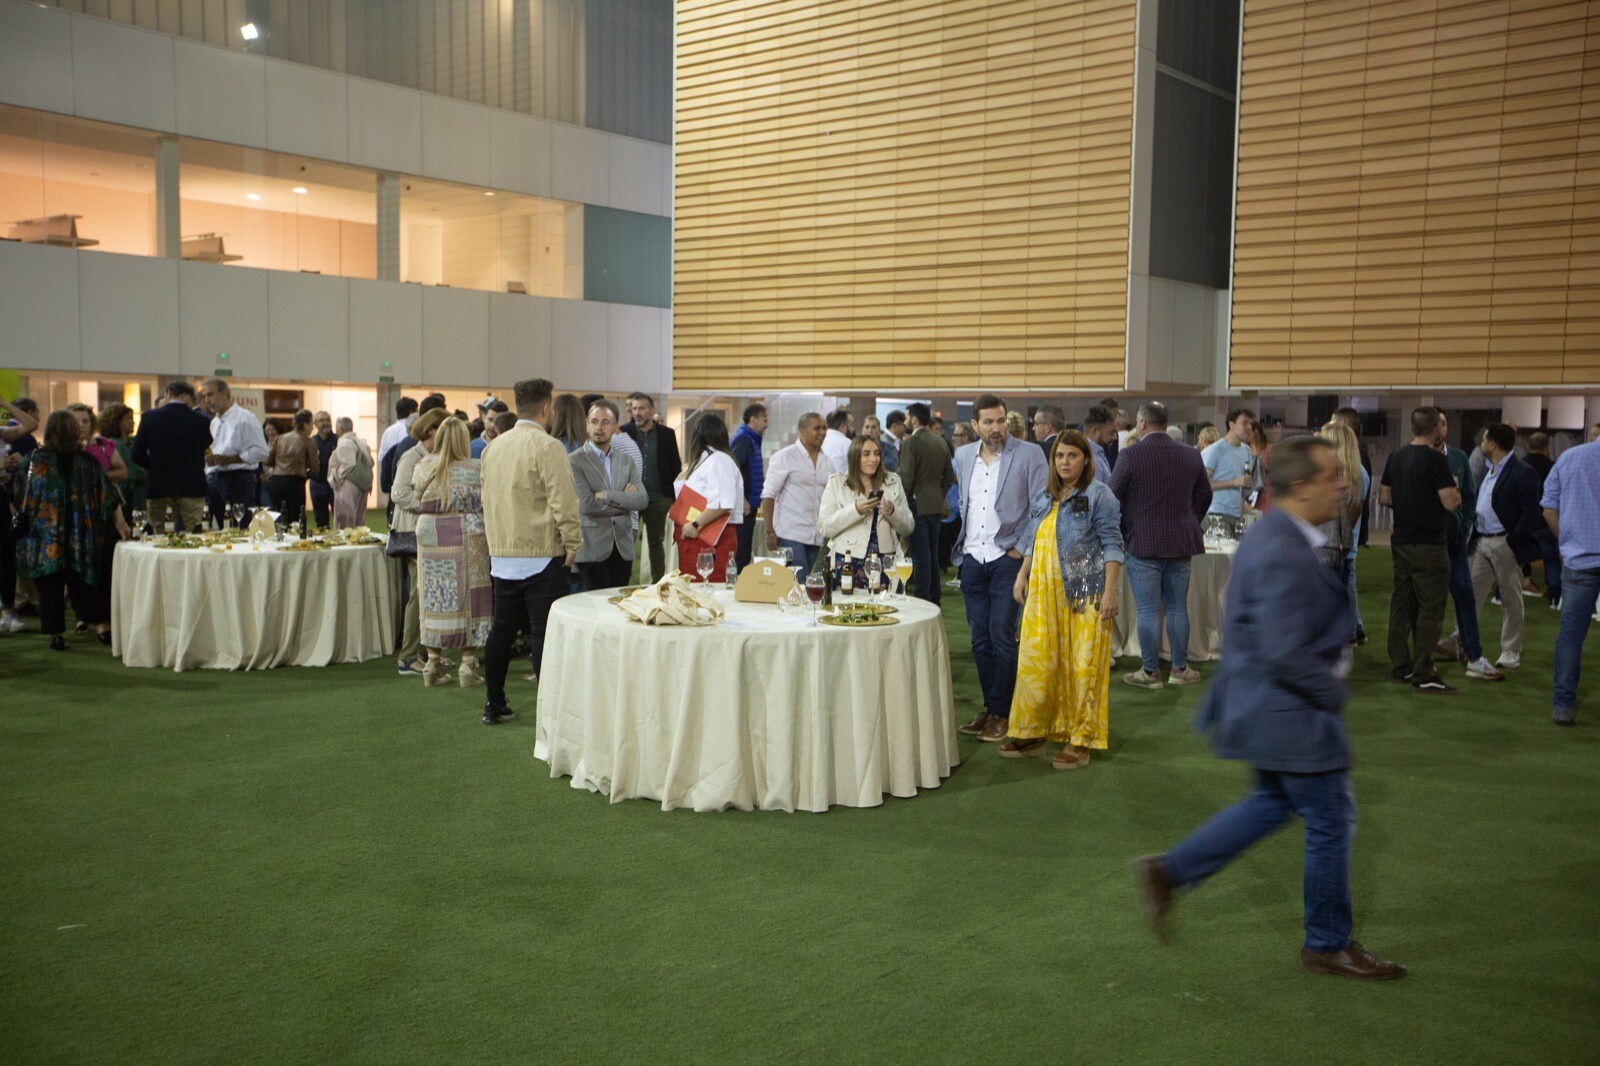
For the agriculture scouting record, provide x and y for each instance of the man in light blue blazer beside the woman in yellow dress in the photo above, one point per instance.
(999, 478)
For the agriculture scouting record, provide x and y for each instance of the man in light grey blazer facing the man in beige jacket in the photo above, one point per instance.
(610, 494)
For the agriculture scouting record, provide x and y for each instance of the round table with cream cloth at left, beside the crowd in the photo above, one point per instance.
(242, 609)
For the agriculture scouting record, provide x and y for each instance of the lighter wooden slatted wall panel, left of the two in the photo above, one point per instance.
(882, 193)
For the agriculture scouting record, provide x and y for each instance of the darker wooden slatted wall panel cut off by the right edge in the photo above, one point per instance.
(1418, 194)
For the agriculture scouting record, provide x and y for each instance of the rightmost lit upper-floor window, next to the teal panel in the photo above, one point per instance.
(497, 242)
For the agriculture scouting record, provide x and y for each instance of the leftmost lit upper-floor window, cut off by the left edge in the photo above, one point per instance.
(74, 183)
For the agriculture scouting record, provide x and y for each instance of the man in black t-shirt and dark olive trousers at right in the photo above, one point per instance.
(1423, 494)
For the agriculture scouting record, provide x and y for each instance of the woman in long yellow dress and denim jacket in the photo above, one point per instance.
(1068, 590)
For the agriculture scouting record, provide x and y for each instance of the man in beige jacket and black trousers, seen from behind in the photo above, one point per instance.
(530, 516)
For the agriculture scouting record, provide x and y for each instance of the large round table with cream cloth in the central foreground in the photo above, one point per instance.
(756, 713)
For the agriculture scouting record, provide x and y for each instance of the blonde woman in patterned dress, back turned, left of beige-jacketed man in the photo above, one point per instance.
(457, 598)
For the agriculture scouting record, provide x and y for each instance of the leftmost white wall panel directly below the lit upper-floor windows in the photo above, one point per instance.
(39, 307)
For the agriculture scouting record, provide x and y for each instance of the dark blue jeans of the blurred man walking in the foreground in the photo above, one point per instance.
(1327, 804)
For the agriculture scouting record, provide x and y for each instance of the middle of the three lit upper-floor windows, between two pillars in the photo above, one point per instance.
(278, 212)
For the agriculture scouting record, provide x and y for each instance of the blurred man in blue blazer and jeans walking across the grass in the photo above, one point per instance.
(1276, 703)
